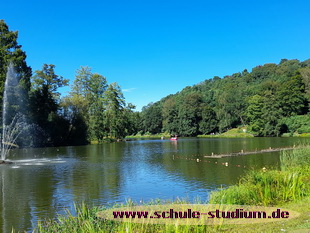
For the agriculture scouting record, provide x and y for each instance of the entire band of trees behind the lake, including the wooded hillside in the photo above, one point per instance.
(270, 100)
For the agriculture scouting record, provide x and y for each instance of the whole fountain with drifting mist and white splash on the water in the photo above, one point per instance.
(17, 129)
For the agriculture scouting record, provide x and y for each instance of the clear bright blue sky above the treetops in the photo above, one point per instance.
(155, 48)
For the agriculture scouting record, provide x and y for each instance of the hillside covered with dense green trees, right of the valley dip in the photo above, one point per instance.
(271, 100)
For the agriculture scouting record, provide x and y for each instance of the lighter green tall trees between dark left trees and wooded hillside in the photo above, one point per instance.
(100, 106)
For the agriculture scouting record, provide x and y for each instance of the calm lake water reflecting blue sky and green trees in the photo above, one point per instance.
(53, 179)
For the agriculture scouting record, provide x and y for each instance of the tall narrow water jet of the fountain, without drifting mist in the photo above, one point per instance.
(12, 121)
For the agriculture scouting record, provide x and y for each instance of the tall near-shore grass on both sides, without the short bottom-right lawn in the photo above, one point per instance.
(269, 187)
